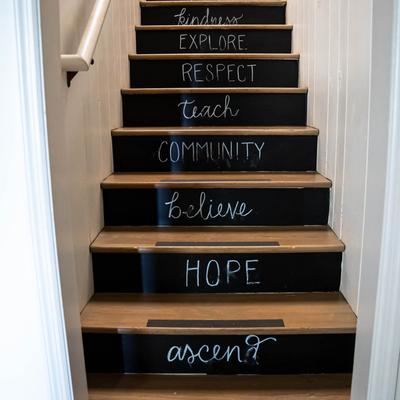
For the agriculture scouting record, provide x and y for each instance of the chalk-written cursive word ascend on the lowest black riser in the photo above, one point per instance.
(205, 353)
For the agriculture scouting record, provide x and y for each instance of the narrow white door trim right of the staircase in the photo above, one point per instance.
(386, 335)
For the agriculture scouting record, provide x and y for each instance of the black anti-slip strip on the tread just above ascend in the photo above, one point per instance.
(197, 323)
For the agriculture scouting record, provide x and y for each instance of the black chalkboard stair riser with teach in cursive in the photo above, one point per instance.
(267, 108)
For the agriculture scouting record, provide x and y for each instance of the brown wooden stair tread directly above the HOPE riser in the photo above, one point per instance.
(209, 239)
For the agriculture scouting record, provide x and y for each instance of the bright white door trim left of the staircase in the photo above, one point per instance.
(34, 346)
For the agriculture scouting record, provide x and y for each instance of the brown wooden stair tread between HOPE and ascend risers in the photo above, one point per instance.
(308, 313)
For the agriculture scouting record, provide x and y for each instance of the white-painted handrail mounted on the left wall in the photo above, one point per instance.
(81, 61)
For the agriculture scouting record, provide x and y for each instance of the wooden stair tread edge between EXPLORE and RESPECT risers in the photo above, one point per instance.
(241, 56)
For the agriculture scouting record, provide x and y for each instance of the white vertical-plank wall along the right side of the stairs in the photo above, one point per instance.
(334, 41)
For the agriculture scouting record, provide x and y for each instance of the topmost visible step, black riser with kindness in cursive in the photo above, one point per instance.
(212, 12)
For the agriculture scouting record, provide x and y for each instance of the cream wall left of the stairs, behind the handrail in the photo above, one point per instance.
(79, 121)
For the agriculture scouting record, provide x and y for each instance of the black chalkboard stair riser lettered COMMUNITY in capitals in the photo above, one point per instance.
(183, 153)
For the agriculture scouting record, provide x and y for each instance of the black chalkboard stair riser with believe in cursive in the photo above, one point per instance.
(263, 207)
